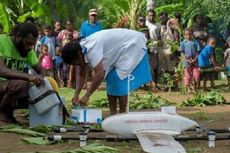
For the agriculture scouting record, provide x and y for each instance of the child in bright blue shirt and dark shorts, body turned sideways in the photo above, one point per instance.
(206, 60)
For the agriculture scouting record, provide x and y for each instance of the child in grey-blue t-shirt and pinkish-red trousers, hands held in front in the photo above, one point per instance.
(189, 49)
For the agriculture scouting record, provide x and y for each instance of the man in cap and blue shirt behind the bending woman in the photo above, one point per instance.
(91, 25)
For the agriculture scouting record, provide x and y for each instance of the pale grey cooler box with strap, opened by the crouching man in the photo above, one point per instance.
(47, 110)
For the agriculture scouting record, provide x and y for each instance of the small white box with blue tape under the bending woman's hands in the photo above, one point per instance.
(87, 116)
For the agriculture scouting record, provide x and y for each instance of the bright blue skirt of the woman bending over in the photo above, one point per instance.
(141, 75)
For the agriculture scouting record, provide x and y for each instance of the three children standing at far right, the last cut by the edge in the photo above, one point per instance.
(196, 60)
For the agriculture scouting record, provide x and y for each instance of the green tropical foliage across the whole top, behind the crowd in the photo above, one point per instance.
(111, 11)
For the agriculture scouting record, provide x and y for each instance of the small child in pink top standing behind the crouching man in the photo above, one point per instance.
(46, 61)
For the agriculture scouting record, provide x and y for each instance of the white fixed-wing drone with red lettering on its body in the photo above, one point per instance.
(154, 130)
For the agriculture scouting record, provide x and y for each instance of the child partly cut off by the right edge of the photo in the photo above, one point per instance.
(227, 62)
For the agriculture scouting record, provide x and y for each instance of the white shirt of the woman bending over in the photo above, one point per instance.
(122, 49)
